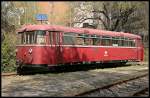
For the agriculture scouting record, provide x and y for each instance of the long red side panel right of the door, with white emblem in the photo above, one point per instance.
(98, 54)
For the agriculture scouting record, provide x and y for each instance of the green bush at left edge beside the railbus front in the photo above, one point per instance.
(8, 54)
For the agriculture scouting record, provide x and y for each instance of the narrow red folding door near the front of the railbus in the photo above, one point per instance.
(57, 37)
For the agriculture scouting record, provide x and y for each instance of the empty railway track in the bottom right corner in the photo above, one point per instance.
(131, 87)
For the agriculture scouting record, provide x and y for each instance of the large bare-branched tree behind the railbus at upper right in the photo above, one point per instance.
(114, 16)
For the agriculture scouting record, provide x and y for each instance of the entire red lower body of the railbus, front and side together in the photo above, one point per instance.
(47, 54)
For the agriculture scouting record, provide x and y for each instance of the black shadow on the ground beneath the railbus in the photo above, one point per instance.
(70, 68)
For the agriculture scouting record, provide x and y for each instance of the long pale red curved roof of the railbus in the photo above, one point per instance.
(77, 30)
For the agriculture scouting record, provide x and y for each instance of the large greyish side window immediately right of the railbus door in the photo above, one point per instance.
(68, 39)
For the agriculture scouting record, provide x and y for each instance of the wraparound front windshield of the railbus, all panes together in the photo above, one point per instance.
(33, 37)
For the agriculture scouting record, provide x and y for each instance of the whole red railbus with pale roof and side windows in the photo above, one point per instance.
(45, 45)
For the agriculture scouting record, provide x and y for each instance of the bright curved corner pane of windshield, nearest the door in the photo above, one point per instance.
(40, 37)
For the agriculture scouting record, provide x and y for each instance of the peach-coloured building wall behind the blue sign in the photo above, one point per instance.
(57, 12)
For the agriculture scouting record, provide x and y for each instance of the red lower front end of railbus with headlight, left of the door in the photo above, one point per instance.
(40, 55)
